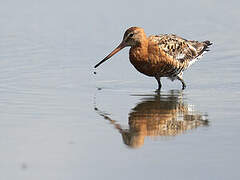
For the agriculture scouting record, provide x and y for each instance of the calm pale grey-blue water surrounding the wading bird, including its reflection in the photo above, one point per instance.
(59, 120)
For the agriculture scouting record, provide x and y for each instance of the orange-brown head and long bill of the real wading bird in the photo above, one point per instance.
(132, 37)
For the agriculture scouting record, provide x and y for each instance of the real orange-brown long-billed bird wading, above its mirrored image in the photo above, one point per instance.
(164, 55)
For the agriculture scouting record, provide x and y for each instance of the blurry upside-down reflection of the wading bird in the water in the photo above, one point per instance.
(165, 114)
